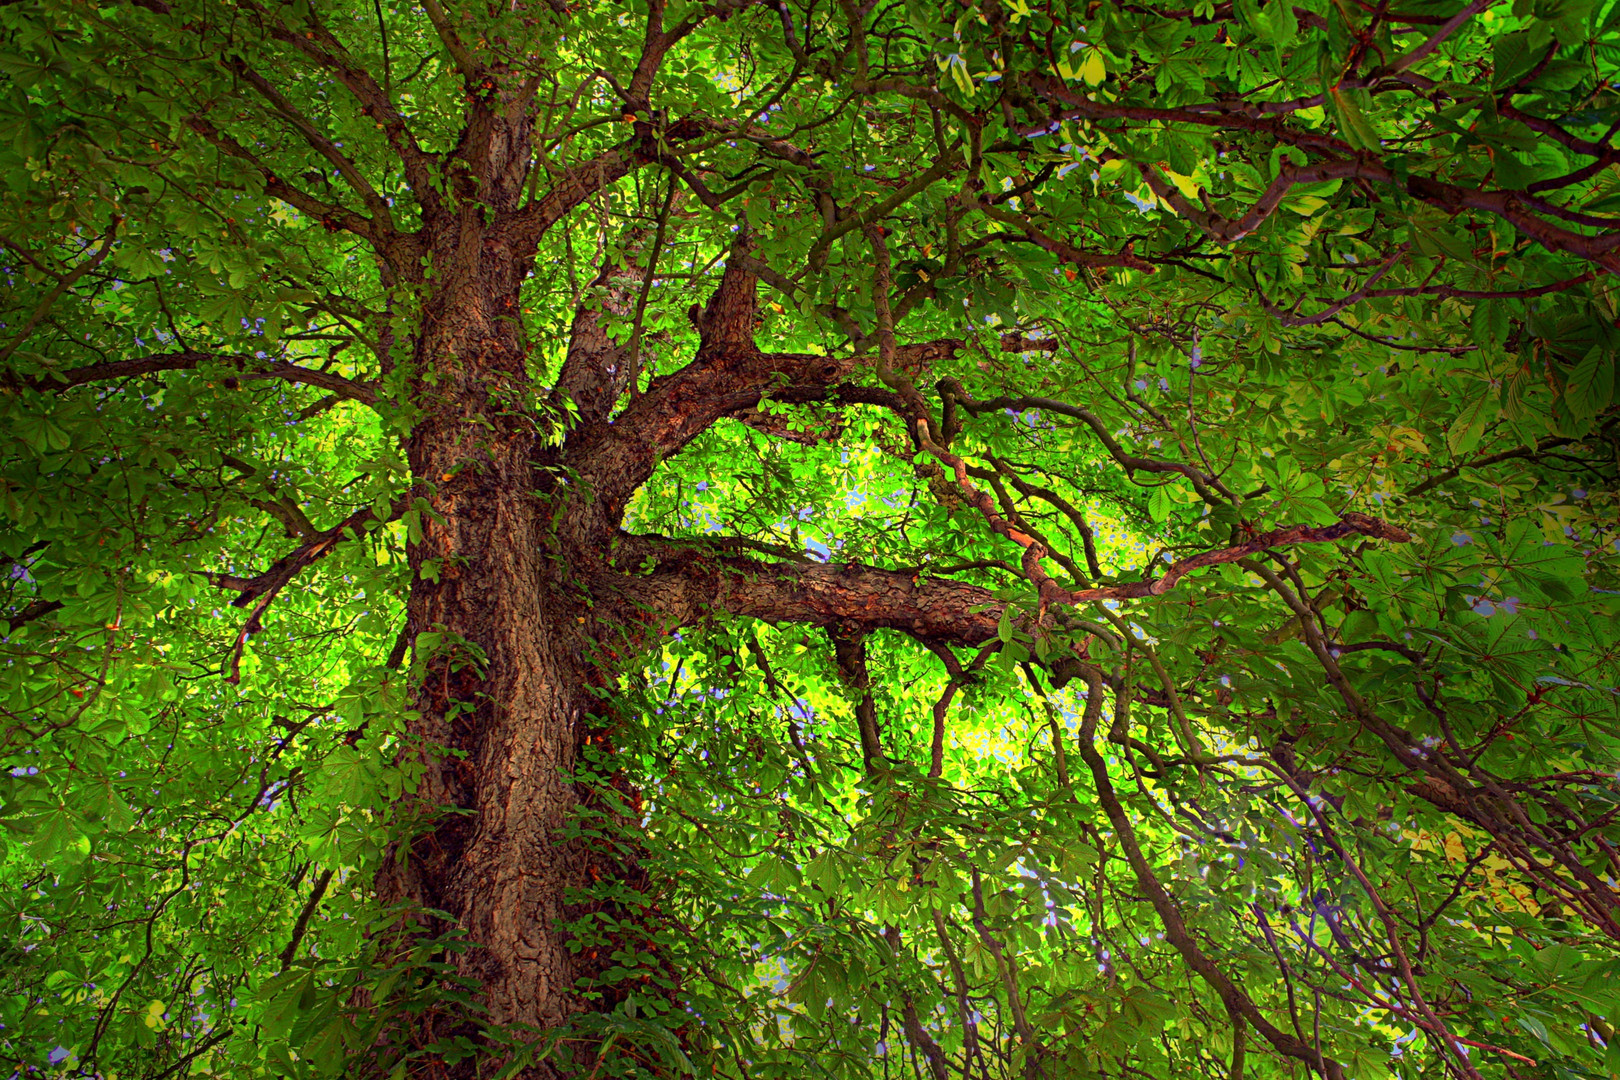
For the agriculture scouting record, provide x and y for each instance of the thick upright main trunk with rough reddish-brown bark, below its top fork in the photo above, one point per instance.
(506, 702)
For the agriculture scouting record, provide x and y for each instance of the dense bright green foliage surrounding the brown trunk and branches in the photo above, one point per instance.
(1357, 349)
